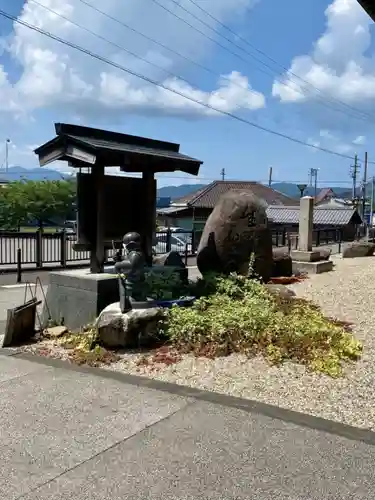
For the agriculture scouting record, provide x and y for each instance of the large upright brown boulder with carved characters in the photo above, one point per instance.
(236, 232)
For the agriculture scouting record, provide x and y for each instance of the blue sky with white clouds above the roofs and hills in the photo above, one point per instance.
(309, 72)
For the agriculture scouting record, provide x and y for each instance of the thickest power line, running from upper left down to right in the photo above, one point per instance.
(165, 87)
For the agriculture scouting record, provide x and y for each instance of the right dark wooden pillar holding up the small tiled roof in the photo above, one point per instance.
(149, 226)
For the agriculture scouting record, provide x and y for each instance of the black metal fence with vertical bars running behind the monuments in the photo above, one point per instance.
(56, 249)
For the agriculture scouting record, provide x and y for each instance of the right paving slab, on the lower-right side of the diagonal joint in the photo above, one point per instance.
(208, 451)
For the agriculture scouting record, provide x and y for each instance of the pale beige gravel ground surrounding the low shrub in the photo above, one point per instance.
(347, 293)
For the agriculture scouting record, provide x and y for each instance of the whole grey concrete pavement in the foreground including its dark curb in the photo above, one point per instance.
(86, 434)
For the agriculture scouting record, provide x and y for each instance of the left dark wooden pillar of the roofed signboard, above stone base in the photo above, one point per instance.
(97, 253)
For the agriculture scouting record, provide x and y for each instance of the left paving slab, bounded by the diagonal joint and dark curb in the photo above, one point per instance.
(53, 420)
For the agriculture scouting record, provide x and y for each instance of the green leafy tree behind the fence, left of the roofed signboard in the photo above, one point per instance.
(22, 202)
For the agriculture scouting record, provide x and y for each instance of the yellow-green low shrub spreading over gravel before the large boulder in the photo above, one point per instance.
(239, 315)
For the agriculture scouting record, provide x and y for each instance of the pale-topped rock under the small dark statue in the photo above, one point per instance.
(131, 329)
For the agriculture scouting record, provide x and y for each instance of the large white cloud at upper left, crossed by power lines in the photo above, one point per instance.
(57, 77)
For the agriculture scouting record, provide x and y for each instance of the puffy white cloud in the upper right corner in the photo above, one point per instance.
(338, 64)
